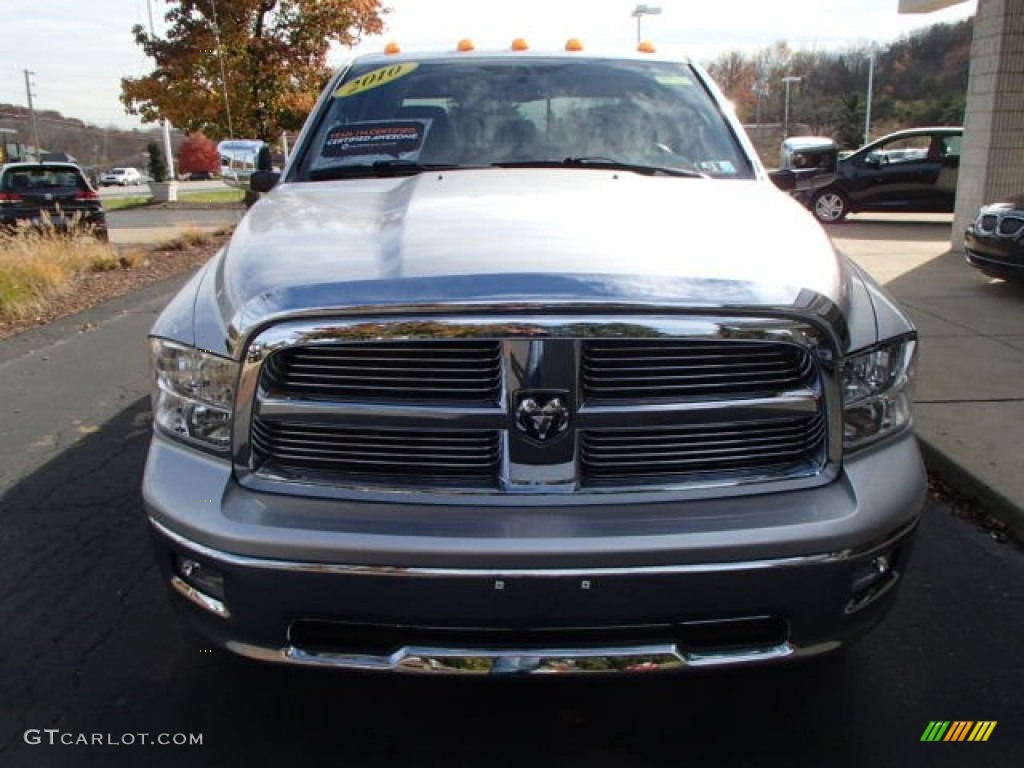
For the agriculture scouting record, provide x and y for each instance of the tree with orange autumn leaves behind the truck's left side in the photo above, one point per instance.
(269, 56)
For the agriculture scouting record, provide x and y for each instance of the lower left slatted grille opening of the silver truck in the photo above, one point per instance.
(399, 455)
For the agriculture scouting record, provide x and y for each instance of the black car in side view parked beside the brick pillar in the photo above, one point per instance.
(913, 172)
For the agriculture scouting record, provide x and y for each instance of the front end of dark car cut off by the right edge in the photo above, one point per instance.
(995, 243)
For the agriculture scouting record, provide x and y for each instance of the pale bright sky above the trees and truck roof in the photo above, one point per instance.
(80, 50)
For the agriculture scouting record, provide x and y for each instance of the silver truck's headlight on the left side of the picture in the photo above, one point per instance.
(193, 395)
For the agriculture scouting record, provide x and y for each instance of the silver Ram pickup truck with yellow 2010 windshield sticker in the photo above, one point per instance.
(524, 365)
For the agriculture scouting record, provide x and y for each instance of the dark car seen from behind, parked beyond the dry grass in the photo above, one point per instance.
(50, 196)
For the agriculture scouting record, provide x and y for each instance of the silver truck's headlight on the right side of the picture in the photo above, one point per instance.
(878, 392)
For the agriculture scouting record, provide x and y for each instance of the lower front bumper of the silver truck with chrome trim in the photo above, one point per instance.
(773, 583)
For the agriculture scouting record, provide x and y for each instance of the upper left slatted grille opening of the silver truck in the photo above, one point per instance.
(421, 372)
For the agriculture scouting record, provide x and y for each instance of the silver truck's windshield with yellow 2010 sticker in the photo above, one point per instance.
(481, 112)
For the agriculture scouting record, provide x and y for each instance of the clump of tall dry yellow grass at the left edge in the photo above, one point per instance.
(37, 269)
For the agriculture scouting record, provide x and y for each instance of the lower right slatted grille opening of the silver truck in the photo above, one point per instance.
(770, 447)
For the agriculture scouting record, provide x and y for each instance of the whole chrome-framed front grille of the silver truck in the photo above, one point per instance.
(350, 406)
